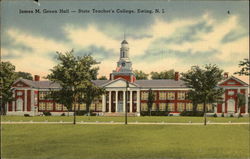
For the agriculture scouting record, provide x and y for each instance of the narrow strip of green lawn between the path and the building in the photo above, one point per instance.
(170, 119)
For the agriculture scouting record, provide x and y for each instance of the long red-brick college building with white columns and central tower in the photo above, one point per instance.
(169, 94)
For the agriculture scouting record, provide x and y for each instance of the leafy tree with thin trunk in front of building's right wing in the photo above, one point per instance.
(203, 83)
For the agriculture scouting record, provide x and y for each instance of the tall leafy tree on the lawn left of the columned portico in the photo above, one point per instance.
(73, 74)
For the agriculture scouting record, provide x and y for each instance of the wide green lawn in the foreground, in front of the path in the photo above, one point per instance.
(124, 141)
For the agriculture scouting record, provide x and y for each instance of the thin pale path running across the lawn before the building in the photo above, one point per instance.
(122, 123)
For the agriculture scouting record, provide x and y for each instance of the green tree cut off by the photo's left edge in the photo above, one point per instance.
(7, 78)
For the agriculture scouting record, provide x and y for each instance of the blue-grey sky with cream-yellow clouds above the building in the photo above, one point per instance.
(188, 33)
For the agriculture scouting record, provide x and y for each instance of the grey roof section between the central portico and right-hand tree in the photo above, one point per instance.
(161, 83)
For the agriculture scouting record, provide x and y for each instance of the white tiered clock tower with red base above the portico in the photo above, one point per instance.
(124, 65)
